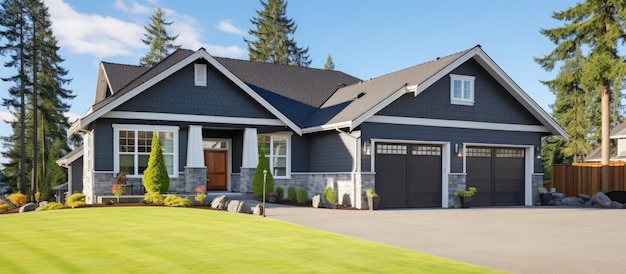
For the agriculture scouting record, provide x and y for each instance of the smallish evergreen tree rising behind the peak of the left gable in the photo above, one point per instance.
(160, 42)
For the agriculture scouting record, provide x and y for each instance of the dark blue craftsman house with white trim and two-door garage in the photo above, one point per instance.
(415, 135)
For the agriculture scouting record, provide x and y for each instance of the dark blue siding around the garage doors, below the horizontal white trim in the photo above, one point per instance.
(452, 135)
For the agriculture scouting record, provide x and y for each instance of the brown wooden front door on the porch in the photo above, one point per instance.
(217, 169)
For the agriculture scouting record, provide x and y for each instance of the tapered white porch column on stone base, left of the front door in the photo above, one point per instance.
(195, 170)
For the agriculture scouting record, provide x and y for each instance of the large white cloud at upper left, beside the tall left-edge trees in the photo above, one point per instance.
(92, 34)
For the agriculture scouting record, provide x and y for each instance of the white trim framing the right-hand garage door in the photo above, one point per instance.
(529, 165)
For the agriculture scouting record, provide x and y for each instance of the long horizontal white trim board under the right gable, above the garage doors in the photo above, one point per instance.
(454, 124)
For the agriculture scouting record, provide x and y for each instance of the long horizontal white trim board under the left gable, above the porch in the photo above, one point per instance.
(193, 118)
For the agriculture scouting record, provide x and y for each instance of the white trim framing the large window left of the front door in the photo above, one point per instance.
(157, 128)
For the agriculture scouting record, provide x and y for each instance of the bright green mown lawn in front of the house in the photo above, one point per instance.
(188, 240)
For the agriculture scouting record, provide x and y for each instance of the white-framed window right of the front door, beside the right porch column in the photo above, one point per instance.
(277, 149)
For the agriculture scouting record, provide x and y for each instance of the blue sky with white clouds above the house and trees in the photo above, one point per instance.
(365, 38)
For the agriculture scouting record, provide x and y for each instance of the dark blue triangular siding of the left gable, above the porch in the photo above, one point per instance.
(178, 94)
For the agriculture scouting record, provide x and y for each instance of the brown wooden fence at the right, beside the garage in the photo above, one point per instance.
(585, 178)
